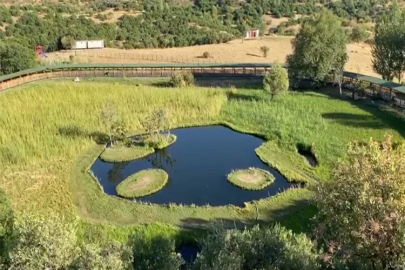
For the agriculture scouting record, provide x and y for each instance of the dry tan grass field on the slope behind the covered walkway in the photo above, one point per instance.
(235, 51)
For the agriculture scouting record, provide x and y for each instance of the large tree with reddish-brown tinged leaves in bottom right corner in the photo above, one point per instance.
(362, 211)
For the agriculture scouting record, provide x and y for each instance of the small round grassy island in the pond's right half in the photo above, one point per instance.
(251, 179)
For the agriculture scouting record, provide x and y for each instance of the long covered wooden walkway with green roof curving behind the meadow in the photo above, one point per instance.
(388, 91)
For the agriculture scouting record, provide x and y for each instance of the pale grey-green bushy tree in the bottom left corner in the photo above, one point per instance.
(42, 243)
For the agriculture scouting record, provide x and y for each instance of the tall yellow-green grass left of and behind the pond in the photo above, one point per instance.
(45, 126)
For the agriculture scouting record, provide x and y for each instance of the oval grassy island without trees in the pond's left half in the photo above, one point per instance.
(142, 183)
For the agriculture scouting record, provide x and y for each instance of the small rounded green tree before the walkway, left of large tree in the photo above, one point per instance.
(276, 81)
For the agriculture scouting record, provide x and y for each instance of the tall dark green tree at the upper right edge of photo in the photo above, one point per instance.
(388, 50)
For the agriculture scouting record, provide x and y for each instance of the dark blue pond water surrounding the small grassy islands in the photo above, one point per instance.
(197, 165)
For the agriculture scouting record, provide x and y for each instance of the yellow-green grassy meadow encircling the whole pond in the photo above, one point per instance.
(48, 141)
